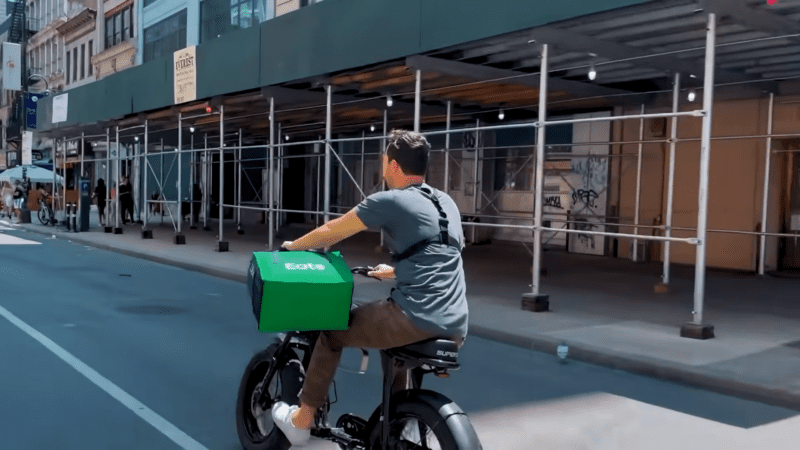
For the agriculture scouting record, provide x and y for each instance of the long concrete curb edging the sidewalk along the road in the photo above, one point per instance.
(651, 368)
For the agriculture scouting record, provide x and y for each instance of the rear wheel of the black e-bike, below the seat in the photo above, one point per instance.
(425, 420)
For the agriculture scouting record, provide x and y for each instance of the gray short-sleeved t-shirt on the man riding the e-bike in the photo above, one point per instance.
(430, 284)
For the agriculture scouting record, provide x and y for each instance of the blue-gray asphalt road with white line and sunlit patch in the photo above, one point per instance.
(104, 351)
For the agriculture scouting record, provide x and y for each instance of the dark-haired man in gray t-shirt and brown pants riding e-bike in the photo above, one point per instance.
(423, 230)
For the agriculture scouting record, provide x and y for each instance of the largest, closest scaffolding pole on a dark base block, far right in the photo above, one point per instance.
(696, 328)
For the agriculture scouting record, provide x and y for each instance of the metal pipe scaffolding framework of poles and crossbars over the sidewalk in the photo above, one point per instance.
(268, 197)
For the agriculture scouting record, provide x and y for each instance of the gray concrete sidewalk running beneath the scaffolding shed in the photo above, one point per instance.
(603, 308)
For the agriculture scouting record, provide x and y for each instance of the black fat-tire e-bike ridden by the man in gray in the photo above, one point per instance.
(417, 418)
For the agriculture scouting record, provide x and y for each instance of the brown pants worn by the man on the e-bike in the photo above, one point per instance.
(379, 325)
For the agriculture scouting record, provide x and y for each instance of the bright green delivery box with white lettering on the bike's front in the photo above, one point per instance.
(300, 291)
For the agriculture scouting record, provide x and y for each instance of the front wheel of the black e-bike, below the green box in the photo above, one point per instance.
(254, 423)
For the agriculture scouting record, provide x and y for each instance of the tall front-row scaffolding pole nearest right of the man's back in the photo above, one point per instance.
(540, 302)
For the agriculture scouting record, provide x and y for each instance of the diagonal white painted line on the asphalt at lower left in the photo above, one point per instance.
(138, 408)
